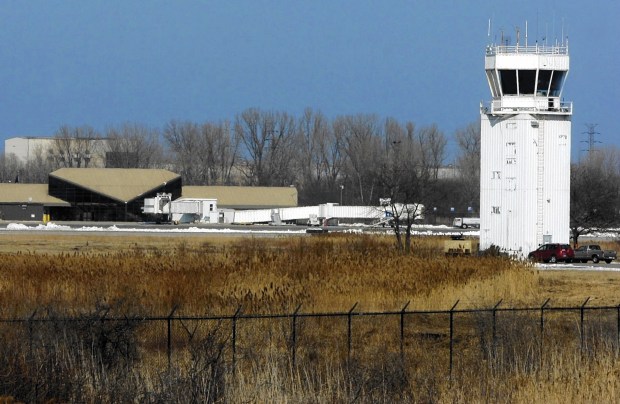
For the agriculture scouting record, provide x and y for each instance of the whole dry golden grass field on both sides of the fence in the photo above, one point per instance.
(151, 274)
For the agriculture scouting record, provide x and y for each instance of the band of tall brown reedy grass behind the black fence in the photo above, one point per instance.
(261, 275)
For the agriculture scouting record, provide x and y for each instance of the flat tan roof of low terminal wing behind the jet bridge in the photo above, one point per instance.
(244, 197)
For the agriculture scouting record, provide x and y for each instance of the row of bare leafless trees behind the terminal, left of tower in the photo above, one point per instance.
(328, 160)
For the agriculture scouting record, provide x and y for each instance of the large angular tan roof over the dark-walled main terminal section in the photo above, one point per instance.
(122, 184)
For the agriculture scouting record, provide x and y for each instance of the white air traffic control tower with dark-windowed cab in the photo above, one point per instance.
(525, 148)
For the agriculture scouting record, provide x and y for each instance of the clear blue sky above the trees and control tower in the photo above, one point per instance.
(103, 63)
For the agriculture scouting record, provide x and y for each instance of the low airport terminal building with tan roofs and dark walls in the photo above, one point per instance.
(117, 194)
